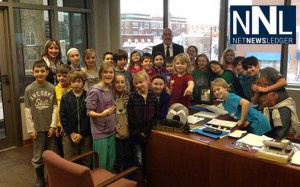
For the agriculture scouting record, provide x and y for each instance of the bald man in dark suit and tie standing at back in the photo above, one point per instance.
(167, 48)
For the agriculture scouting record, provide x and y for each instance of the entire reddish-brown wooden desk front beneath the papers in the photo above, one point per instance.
(179, 160)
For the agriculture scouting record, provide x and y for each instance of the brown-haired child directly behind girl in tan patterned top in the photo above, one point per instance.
(120, 61)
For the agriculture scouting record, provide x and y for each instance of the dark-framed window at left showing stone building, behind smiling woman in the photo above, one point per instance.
(32, 29)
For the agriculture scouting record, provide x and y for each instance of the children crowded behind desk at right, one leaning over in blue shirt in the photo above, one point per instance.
(237, 81)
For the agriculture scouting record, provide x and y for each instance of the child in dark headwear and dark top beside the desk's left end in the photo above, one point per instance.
(163, 98)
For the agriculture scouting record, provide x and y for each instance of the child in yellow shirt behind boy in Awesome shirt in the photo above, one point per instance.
(61, 88)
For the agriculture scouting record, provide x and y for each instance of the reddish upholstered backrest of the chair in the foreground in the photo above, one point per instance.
(64, 173)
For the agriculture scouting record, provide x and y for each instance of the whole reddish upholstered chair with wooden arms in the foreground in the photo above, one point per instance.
(66, 173)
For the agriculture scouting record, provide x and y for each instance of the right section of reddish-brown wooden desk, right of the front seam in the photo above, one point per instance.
(233, 167)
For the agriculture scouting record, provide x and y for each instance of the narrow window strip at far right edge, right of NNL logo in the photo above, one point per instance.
(293, 69)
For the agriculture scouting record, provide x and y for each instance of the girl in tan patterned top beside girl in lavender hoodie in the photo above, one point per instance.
(121, 96)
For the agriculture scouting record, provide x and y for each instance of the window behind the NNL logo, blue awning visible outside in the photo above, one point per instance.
(267, 55)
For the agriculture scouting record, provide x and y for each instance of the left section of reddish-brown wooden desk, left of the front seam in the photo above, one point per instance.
(177, 159)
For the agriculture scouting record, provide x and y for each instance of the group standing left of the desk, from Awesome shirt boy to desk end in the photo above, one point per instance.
(110, 110)
